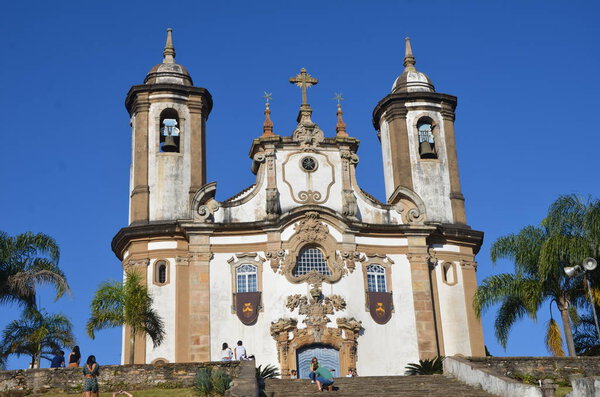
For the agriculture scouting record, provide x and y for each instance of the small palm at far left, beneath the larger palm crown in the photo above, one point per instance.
(36, 334)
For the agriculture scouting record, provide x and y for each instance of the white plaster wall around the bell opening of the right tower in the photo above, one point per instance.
(431, 178)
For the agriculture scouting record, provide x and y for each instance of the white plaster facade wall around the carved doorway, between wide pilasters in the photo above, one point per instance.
(382, 349)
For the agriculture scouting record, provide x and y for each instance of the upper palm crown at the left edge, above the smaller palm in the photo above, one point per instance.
(26, 261)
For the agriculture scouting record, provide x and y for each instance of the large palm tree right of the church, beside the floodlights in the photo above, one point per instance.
(569, 233)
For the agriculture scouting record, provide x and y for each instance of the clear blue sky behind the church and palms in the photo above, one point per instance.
(525, 73)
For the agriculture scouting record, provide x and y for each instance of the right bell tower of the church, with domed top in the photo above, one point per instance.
(416, 130)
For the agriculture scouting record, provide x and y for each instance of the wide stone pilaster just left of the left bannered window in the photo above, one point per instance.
(199, 303)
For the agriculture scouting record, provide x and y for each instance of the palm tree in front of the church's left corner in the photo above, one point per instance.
(118, 304)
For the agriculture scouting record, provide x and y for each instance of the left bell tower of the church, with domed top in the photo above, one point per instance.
(168, 121)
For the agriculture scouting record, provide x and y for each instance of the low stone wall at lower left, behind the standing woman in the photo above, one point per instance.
(112, 377)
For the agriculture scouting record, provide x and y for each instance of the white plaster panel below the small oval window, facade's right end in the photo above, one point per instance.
(453, 314)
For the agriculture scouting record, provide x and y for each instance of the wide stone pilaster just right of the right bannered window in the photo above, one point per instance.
(422, 297)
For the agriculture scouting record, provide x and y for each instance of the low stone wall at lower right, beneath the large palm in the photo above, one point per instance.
(560, 369)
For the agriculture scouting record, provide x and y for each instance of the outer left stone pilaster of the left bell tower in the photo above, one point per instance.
(140, 193)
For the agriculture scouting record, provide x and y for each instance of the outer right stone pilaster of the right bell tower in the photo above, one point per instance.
(457, 199)
